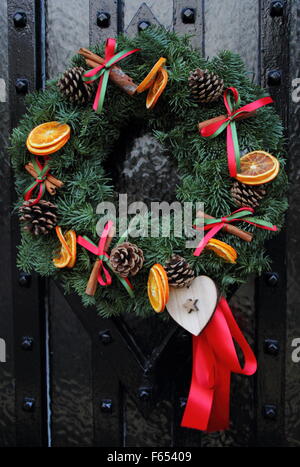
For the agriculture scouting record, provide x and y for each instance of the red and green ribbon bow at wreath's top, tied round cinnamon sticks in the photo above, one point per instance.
(102, 71)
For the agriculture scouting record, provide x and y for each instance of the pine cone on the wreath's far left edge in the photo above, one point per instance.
(39, 218)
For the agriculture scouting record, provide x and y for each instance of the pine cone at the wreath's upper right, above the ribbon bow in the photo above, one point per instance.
(205, 86)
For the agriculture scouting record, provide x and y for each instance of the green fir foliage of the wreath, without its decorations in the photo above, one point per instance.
(202, 167)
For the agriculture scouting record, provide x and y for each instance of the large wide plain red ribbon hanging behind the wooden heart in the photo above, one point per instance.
(214, 358)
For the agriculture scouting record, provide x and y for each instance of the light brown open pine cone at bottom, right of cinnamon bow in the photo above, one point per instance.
(126, 259)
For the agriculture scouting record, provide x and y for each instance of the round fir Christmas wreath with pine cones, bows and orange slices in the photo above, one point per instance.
(59, 193)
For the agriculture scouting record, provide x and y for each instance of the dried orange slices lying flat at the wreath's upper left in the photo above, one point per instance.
(48, 134)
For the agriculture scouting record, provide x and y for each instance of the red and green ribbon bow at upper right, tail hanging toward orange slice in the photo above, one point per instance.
(233, 111)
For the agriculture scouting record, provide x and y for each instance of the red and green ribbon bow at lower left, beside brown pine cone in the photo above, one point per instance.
(104, 258)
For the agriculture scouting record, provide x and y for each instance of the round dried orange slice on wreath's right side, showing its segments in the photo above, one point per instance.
(258, 167)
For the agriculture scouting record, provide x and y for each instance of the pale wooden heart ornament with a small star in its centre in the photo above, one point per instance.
(192, 307)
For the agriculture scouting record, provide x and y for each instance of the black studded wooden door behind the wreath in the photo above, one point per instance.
(73, 379)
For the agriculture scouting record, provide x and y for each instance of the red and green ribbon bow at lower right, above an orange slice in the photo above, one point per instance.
(214, 225)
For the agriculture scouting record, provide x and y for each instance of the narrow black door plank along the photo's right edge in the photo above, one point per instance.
(292, 402)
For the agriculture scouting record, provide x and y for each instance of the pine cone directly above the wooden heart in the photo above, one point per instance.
(179, 272)
